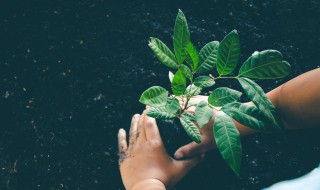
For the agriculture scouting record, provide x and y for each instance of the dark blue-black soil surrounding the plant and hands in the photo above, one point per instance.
(71, 74)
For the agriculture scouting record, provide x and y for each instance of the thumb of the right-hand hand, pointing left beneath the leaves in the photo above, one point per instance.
(189, 150)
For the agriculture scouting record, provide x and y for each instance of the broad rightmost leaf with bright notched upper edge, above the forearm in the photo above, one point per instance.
(267, 64)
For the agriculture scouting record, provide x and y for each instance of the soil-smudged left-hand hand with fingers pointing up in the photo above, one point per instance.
(145, 159)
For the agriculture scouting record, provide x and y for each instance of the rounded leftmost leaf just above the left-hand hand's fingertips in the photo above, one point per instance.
(155, 96)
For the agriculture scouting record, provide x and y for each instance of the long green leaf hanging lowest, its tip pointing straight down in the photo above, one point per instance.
(228, 141)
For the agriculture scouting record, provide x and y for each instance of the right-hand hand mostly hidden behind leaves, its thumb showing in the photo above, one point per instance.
(207, 143)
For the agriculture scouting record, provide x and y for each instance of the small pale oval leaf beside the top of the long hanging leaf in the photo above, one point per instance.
(203, 113)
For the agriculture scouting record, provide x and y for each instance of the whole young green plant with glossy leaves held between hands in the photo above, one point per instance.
(189, 66)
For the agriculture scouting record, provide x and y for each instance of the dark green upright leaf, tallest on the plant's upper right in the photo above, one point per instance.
(228, 53)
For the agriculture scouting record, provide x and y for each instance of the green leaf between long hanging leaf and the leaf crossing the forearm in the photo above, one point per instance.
(245, 114)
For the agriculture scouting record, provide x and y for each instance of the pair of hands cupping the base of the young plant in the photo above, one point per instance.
(144, 162)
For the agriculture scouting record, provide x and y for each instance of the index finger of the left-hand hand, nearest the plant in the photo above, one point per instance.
(151, 128)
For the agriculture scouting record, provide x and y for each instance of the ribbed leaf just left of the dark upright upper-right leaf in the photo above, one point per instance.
(208, 57)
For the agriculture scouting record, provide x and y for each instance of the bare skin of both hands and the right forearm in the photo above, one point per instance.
(144, 164)
